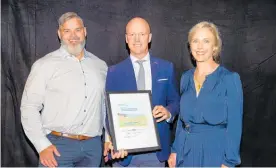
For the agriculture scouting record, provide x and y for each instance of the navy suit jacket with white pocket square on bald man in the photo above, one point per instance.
(121, 77)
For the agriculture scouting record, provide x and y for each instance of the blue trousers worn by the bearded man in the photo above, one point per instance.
(75, 153)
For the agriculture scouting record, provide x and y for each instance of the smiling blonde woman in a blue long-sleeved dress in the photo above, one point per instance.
(210, 121)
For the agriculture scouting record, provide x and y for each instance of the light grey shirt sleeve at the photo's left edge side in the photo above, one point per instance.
(32, 104)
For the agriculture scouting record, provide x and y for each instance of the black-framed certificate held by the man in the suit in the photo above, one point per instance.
(132, 126)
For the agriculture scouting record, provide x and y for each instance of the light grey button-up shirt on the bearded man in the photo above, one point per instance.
(68, 92)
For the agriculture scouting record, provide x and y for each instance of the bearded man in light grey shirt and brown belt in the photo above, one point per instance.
(62, 107)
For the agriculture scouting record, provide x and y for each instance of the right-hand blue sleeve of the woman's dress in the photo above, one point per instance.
(234, 120)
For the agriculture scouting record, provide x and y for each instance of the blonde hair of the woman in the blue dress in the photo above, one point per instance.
(213, 28)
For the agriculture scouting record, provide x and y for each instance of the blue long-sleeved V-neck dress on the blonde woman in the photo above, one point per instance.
(209, 127)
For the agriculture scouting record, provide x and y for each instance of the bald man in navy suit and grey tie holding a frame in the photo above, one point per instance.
(142, 71)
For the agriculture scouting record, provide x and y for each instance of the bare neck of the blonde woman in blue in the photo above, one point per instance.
(205, 68)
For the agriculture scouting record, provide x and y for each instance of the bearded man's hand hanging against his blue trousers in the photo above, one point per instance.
(47, 158)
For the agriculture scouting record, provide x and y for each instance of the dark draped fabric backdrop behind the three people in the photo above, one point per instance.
(248, 28)
